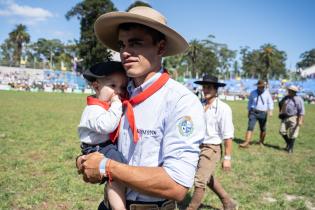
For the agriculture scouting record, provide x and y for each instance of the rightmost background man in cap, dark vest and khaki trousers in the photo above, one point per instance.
(291, 113)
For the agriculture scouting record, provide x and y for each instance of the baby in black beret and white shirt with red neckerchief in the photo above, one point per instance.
(101, 117)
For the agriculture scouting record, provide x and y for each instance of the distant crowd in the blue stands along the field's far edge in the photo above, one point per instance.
(61, 81)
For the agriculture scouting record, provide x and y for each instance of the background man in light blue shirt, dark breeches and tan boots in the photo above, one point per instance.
(260, 104)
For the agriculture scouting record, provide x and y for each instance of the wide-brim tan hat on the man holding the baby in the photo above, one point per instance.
(106, 28)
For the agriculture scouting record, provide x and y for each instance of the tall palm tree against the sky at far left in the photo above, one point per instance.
(19, 36)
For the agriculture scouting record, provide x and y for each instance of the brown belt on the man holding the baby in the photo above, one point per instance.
(159, 205)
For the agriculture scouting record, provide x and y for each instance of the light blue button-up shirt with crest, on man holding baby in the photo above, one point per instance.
(171, 126)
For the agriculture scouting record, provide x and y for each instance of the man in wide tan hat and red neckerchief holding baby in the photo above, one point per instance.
(163, 124)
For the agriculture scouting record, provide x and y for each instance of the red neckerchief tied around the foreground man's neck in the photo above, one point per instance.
(137, 100)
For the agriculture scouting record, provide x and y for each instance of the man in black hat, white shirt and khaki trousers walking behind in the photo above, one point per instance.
(219, 129)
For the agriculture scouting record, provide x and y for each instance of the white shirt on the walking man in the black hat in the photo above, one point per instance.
(219, 123)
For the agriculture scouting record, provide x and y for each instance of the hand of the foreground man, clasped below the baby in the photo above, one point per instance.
(90, 167)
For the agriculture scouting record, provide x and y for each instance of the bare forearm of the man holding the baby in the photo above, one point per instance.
(152, 181)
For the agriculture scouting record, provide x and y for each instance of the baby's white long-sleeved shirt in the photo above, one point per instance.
(97, 123)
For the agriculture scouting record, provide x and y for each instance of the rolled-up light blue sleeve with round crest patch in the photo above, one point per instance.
(184, 132)
